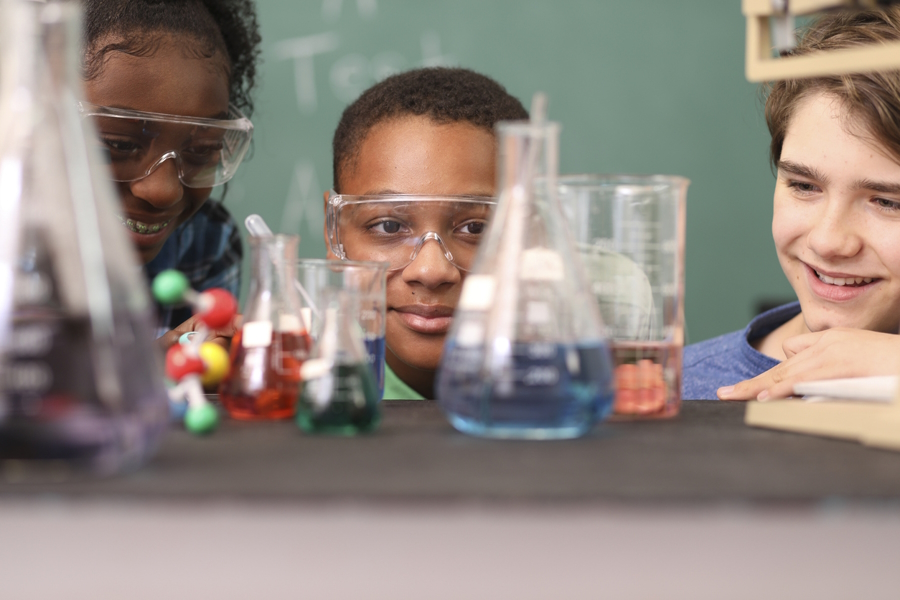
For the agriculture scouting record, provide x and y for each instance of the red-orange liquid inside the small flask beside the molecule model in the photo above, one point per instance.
(264, 383)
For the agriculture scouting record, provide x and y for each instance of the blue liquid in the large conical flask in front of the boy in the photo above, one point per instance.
(548, 391)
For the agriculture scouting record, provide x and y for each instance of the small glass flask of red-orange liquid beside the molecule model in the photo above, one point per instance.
(269, 349)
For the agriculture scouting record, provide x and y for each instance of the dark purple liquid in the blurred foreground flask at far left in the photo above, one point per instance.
(53, 410)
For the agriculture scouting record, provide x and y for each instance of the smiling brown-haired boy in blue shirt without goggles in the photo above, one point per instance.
(836, 227)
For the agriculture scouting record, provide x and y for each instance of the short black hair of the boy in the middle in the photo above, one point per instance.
(445, 95)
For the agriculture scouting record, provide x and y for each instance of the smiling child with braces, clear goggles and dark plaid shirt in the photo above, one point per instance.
(165, 83)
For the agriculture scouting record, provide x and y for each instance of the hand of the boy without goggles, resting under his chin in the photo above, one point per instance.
(830, 354)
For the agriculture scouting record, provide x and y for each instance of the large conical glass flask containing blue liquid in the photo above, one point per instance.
(526, 357)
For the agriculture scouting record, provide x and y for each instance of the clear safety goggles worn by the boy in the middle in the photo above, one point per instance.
(395, 228)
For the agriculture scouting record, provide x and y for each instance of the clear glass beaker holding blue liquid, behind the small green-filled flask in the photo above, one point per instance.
(364, 280)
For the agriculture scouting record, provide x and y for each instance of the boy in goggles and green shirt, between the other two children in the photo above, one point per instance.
(414, 179)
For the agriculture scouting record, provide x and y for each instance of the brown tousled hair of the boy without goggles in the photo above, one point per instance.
(872, 100)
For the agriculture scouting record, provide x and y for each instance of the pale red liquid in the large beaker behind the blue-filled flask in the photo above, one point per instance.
(648, 379)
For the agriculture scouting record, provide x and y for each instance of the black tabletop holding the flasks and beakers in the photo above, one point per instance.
(705, 454)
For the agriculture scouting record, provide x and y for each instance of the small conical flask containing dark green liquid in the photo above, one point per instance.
(339, 394)
